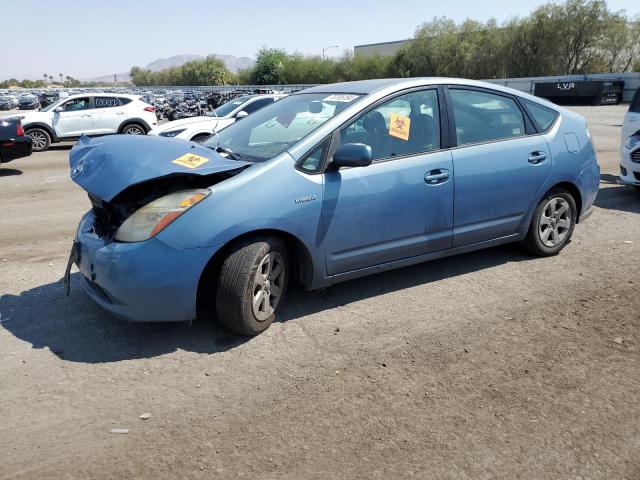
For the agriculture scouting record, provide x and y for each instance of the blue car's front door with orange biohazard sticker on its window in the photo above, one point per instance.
(401, 205)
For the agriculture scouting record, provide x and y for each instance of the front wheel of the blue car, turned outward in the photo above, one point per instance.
(247, 299)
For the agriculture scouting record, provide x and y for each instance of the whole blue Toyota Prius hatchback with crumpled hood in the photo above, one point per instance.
(331, 183)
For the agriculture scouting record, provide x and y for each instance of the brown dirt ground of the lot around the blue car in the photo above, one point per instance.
(487, 365)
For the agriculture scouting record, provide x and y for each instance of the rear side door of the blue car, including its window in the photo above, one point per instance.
(500, 164)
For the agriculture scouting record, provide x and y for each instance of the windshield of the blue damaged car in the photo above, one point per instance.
(276, 127)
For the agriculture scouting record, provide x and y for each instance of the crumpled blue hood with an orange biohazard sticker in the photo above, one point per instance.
(105, 166)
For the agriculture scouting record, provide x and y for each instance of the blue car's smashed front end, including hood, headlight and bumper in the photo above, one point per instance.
(137, 186)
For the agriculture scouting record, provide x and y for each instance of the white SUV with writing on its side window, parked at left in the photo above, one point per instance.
(89, 114)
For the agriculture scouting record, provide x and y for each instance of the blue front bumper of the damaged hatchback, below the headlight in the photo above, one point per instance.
(143, 282)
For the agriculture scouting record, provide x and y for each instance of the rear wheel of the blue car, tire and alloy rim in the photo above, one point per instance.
(552, 224)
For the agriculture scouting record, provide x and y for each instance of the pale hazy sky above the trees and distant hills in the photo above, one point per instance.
(88, 38)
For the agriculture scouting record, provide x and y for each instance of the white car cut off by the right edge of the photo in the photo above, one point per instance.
(630, 151)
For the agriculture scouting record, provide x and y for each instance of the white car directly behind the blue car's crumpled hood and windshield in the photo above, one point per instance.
(198, 128)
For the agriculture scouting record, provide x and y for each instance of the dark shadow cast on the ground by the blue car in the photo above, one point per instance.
(77, 330)
